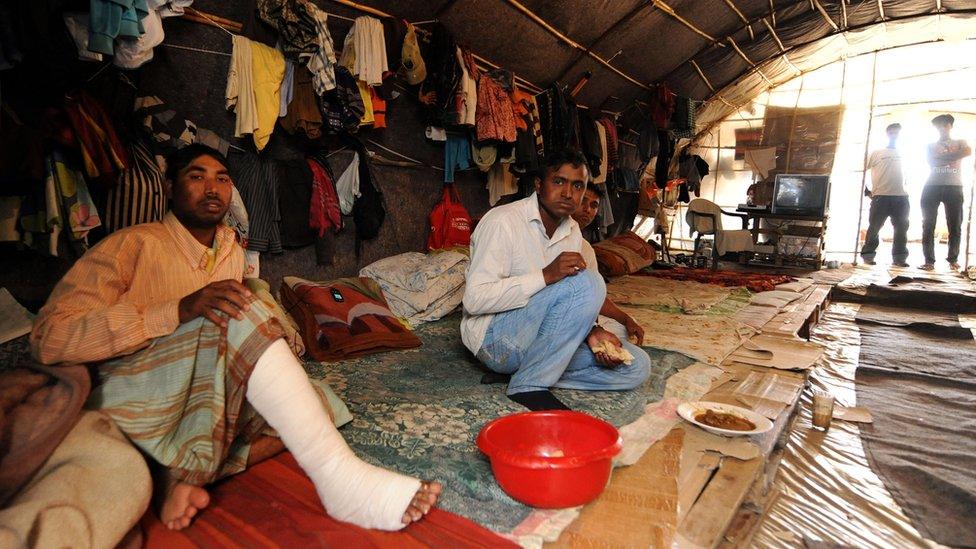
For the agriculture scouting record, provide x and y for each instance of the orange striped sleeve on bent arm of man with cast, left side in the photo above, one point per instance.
(85, 320)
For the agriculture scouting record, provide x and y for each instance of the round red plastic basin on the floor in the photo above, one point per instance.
(551, 459)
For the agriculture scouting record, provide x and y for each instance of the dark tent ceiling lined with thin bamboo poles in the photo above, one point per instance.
(655, 41)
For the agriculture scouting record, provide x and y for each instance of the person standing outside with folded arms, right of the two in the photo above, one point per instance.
(944, 186)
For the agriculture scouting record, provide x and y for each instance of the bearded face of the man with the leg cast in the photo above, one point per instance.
(201, 193)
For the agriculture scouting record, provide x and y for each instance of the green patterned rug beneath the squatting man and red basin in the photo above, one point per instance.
(418, 411)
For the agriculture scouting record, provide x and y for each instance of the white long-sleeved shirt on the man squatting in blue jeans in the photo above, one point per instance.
(509, 249)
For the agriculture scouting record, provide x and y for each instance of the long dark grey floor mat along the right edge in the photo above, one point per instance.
(920, 384)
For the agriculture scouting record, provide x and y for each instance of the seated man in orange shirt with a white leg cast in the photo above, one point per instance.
(192, 368)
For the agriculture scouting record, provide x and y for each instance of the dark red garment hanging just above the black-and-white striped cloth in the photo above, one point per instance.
(102, 152)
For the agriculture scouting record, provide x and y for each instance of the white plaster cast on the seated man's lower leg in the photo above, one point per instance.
(350, 489)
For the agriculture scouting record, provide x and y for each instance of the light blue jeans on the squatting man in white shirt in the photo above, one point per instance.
(543, 344)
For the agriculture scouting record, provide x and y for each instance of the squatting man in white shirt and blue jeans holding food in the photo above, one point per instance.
(531, 303)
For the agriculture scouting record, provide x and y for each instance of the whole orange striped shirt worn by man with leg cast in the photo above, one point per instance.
(126, 290)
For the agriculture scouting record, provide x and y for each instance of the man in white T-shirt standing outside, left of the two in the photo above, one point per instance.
(888, 199)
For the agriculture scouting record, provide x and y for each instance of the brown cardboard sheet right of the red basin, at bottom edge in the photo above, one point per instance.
(638, 508)
